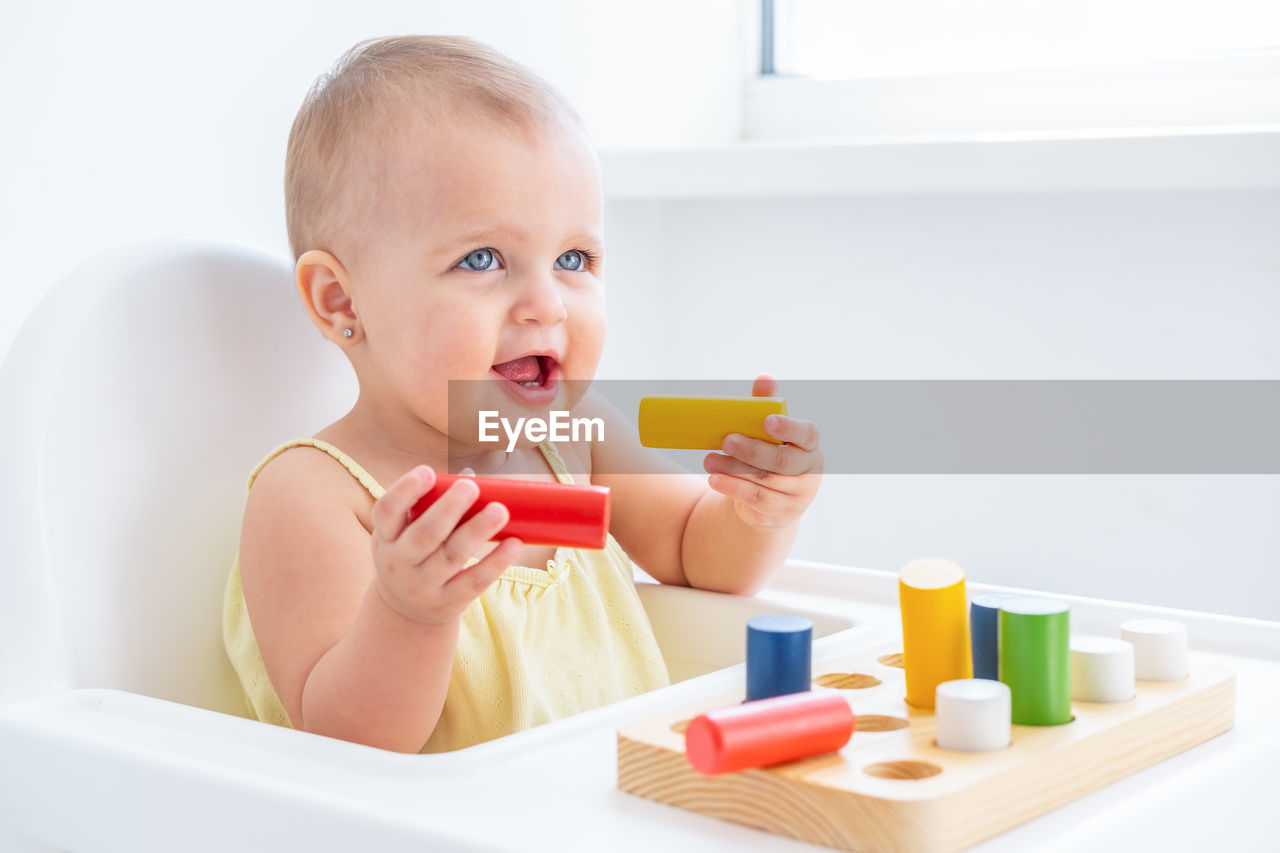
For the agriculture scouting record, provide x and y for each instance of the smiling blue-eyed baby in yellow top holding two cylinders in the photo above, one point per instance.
(445, 209)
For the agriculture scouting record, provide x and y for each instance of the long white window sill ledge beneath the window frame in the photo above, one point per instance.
(1148, 159)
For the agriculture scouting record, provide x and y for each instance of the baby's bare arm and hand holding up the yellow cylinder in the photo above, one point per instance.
(730, 533)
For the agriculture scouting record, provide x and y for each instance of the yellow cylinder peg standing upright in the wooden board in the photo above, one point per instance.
(935, 628)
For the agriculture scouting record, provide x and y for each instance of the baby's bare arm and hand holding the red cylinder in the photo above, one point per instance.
(358, 627)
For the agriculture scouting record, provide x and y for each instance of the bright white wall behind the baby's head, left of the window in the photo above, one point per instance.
(145, 118)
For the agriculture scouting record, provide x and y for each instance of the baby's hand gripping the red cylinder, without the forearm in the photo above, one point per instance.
(422, 565)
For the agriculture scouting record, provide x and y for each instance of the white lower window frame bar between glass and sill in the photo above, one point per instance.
(1212, 93)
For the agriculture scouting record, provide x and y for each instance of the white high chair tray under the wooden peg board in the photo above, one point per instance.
(145, 774)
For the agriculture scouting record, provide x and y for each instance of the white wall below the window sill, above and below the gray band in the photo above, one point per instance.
(1155, 286)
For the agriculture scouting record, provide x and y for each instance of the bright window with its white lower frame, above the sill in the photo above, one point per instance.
(872, 69)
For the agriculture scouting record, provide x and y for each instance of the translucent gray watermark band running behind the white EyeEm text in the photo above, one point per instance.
(938, 427)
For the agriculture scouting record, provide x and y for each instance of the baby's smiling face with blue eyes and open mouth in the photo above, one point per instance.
(483, 262)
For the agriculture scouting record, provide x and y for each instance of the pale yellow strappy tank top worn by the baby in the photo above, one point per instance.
(534, 647)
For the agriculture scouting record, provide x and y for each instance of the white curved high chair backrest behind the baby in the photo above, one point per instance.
(136, 402)
